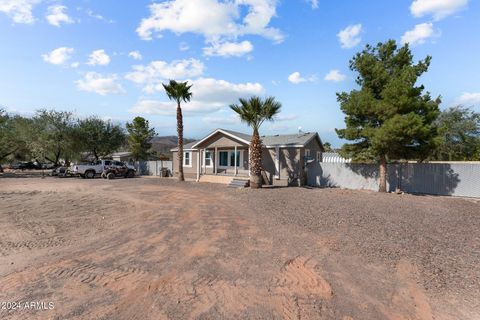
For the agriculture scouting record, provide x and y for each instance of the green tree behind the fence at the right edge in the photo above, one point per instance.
(459, 130)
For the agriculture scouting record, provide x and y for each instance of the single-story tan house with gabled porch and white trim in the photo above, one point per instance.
(226, 153)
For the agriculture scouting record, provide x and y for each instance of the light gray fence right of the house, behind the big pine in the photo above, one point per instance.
(456, 179)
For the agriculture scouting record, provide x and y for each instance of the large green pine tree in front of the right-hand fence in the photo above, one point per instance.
(389, 116)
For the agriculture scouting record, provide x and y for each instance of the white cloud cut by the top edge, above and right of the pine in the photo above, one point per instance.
(439, 9)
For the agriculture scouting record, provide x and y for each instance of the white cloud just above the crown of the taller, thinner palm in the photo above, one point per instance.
(152, 75)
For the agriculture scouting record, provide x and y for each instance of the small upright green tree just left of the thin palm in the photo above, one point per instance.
(139, 138)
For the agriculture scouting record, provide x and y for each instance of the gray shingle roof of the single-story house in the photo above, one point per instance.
(279, 139)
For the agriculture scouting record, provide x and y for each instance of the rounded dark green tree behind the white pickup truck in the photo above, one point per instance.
(99, 137)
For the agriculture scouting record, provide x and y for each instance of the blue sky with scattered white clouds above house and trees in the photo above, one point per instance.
(109, 58)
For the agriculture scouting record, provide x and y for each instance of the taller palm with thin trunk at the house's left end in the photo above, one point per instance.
(179, 91)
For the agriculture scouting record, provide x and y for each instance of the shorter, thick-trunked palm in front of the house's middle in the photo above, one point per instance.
(254, 112)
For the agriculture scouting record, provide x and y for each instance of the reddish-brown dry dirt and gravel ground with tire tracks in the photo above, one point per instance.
(148, 248)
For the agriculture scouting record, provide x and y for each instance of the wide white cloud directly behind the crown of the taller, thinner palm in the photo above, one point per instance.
(208, 95)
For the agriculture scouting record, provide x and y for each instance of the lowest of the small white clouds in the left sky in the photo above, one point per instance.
(103, 85)
